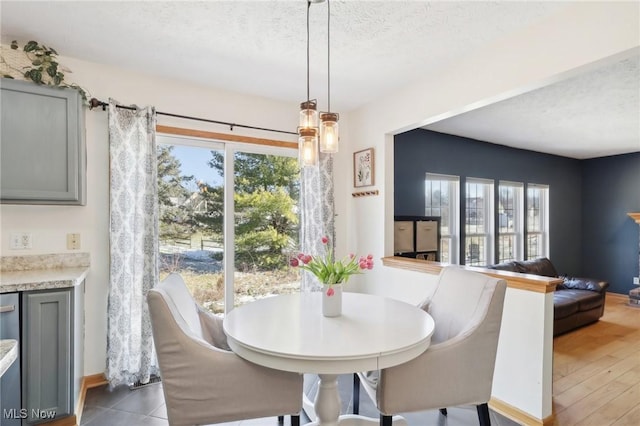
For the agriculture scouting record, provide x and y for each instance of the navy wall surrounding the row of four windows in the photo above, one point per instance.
(420, 151)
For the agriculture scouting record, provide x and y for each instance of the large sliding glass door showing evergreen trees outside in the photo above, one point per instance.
(226, 263)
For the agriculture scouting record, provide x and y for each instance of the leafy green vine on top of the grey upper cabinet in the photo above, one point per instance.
(44, 68)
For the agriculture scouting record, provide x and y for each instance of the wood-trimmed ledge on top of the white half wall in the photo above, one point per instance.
(528, 282)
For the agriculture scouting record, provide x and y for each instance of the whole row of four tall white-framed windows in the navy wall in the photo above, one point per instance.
(488, 227)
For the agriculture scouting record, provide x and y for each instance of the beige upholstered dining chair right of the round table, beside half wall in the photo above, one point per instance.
(457, 369)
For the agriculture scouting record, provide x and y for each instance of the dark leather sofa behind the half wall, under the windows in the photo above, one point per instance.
(576, 302)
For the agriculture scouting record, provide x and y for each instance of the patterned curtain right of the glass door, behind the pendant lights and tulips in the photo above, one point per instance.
(316, 213)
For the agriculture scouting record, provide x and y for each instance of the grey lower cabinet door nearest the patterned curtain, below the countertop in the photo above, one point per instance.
(46, 355)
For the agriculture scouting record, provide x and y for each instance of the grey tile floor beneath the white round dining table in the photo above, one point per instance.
(145, 407)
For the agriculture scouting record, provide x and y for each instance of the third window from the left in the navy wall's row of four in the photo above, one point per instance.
(510, 218)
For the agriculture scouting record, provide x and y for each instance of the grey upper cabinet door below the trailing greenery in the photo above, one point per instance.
(42, 146)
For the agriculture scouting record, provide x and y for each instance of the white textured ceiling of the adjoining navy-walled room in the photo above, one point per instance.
(593, 115)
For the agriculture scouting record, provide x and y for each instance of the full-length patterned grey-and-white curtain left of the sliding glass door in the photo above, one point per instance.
(133, 241)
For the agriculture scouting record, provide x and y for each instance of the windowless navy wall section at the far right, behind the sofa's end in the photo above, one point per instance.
(611, 189)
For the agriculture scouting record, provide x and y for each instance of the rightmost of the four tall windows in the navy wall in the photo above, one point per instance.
(537, 237)
